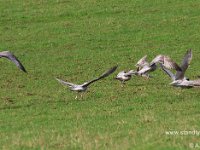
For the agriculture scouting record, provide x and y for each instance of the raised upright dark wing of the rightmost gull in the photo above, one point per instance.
(185, 63)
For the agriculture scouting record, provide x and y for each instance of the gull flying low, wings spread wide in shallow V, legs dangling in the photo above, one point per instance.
(83, 87)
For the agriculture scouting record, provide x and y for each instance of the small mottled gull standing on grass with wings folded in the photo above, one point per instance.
(124, 76)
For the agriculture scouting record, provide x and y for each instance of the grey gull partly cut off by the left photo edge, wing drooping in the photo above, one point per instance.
(13, 58)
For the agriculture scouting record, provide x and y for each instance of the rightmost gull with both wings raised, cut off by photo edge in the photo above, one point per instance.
(179, 79)
